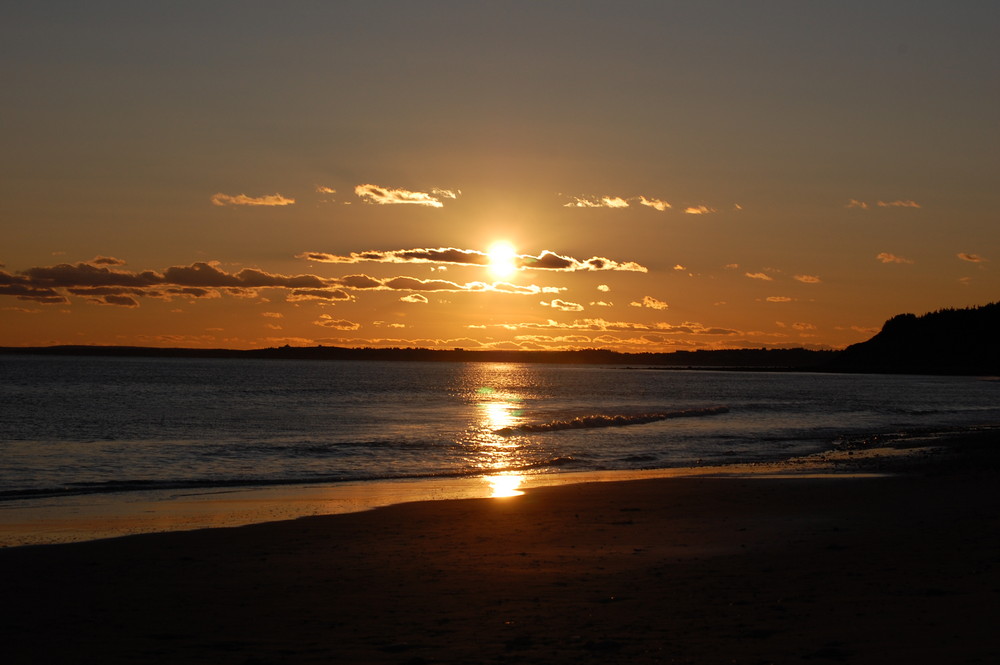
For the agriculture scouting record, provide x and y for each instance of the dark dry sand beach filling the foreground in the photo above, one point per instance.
(897, 569)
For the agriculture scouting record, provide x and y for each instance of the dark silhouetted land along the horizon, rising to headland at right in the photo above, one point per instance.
(948, 341)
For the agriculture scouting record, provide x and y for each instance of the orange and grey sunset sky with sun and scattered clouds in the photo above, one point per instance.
(630, 175)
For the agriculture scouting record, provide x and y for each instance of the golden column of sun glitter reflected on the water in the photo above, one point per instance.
(498, 407)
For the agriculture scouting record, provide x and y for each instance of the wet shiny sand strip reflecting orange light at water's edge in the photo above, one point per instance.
(81, 518)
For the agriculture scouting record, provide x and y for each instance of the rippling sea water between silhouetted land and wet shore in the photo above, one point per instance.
(86, 425)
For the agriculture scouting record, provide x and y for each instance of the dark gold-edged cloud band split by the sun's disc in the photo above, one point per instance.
(547, 260)
